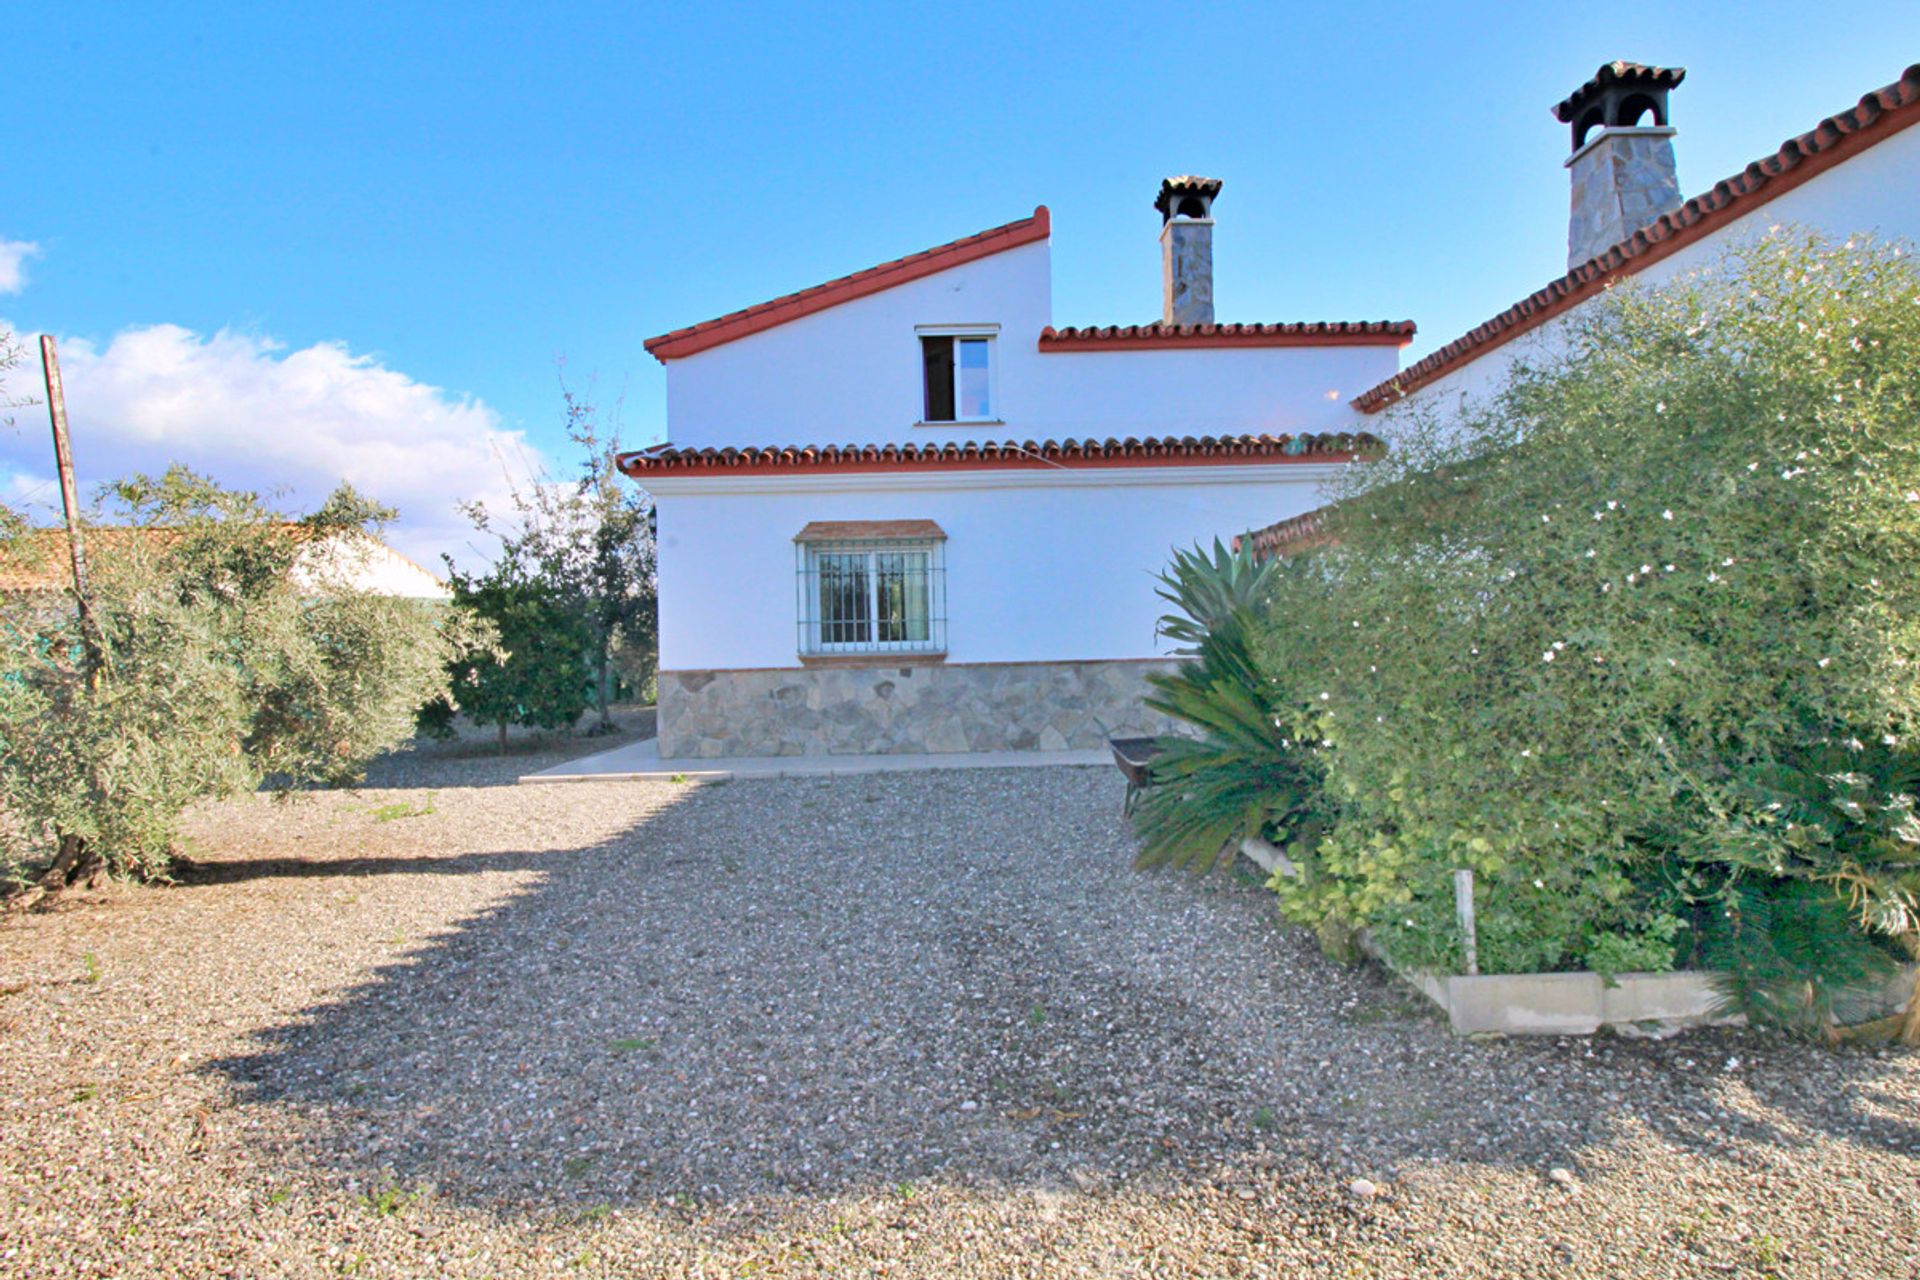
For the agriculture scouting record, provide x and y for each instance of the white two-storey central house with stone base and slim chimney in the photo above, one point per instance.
(901, 511)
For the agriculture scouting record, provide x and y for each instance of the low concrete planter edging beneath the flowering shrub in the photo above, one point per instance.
(1570, 1005)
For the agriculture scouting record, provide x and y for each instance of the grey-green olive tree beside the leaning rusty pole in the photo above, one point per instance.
(208, 673)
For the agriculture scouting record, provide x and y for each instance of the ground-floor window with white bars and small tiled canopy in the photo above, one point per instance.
(873, 594)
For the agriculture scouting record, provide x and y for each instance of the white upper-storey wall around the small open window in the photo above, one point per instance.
(853, 375)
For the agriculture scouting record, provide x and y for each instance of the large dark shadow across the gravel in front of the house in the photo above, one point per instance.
(813, 987)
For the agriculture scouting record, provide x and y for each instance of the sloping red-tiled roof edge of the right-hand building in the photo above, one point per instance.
(1879, 116)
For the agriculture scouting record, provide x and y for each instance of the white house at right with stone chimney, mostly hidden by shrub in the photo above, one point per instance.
(1856, 172)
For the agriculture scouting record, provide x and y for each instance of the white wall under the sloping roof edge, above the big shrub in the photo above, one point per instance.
(1877, 191)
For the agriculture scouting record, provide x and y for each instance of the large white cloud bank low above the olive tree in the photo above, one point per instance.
(287, 423)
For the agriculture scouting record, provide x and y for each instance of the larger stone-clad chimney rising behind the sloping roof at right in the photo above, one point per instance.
(1623, 156)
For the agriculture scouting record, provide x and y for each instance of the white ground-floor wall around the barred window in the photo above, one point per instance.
(1038, 571)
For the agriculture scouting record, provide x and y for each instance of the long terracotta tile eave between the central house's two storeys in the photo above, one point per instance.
(1032, 456)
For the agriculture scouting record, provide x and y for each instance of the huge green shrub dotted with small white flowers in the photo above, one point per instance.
(1566, 636)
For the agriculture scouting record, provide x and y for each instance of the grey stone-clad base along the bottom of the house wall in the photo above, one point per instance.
(905, 709)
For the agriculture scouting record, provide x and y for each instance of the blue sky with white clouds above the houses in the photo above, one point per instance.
(285, 237)
